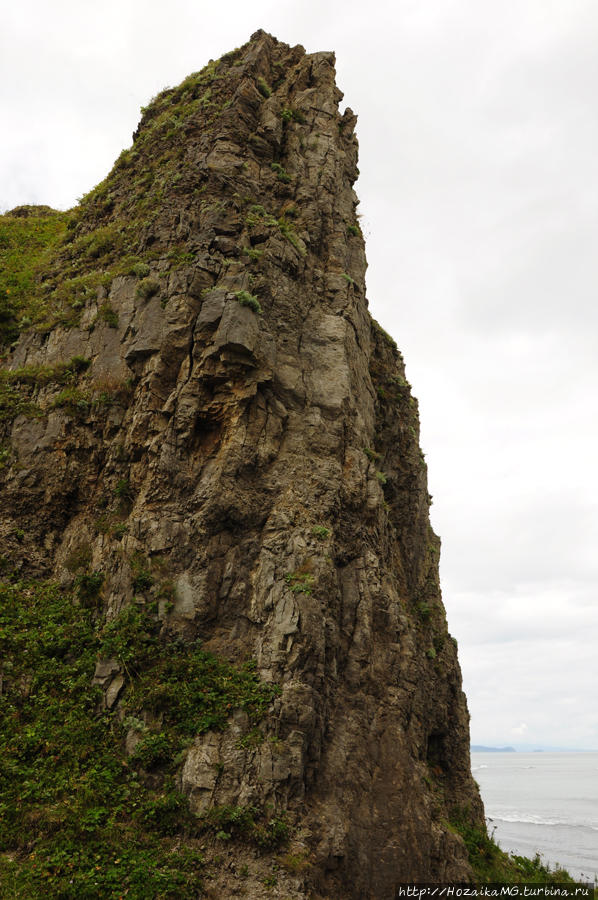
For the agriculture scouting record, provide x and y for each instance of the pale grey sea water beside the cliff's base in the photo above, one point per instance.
(543, 803)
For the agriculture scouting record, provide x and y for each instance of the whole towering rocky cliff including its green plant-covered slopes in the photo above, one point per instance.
(215, 505)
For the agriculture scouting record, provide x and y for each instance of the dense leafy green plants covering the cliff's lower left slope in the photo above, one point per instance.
(78, 817)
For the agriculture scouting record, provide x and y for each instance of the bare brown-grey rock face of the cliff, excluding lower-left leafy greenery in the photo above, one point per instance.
(244, 427)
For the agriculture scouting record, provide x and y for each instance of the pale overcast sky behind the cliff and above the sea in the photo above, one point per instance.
(478, 130)
